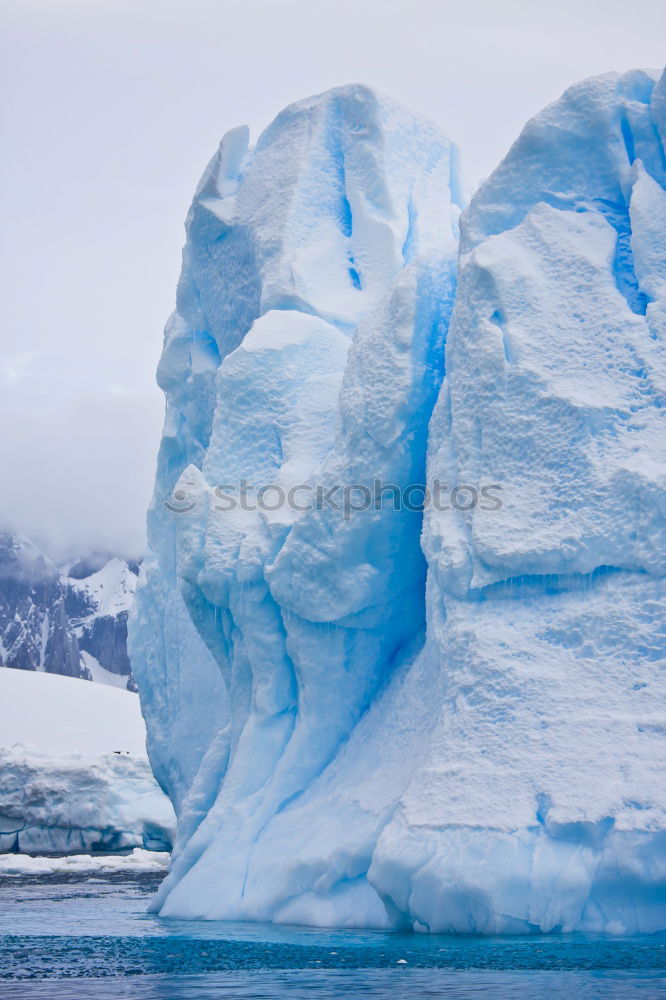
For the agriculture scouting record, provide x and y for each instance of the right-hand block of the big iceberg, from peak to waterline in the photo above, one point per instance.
(539, 801)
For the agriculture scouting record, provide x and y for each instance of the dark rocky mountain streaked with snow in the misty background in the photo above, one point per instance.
(68, 620)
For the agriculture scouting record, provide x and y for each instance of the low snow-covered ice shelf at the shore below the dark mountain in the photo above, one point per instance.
(74, 775)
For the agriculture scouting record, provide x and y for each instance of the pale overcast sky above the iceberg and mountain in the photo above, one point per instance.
(110, 111)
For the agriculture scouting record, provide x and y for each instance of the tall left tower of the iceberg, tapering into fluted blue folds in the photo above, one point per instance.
(307, 347)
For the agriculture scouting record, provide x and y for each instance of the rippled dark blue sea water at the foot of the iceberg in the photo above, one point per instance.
(77, 937)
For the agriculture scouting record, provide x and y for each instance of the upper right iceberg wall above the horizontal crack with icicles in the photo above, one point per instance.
(556, 349)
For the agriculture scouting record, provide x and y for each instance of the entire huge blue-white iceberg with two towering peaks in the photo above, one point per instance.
(365, 725)
